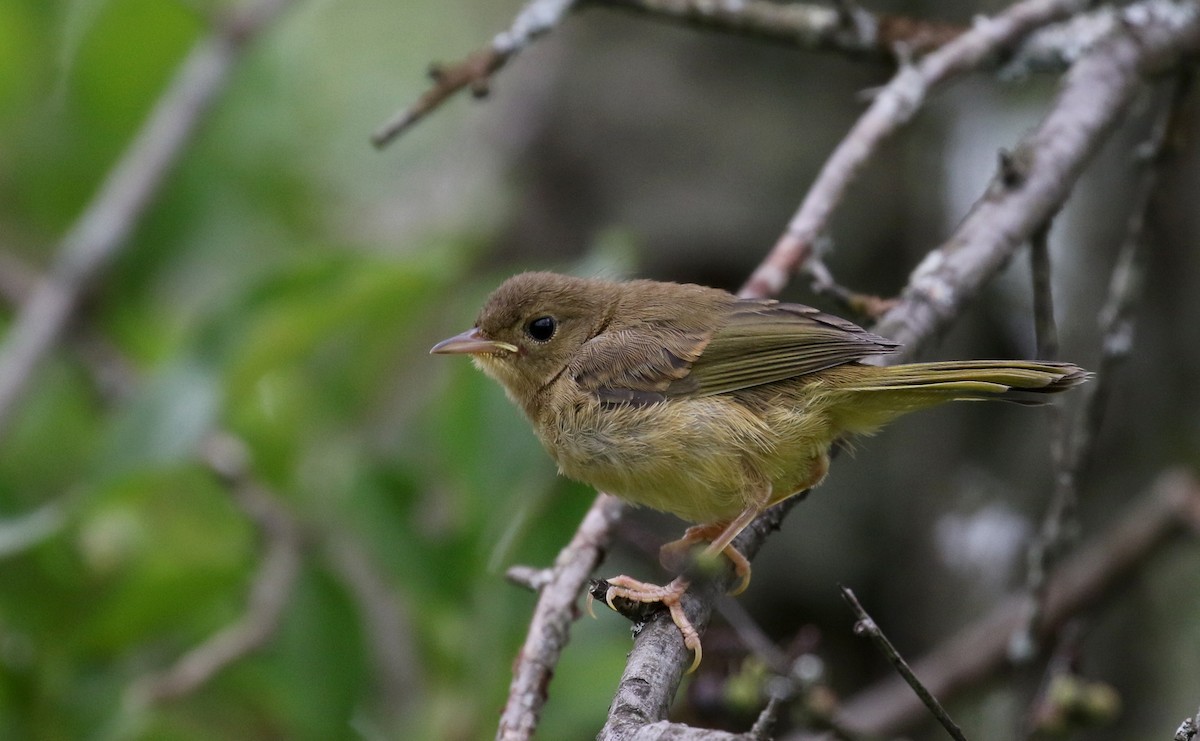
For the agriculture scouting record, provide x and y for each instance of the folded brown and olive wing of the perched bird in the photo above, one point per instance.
(759, 342)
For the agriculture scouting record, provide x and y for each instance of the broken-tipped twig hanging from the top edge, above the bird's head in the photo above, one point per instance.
(537, 19)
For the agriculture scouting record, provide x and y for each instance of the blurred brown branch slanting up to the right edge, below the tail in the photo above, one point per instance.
(1090, 575)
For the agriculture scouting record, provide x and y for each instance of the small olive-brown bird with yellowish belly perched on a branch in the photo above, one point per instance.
(693, 401)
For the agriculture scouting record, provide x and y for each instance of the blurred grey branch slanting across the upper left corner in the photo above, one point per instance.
(104, 228)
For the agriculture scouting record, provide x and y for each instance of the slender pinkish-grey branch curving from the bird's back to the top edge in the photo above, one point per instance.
(895, 106)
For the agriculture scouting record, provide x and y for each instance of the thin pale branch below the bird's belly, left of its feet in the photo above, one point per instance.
(557, 609)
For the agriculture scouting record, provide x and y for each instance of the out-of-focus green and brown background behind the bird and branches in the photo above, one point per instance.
(289, 280)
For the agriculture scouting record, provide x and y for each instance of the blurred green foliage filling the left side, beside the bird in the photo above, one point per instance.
(266, 293)
